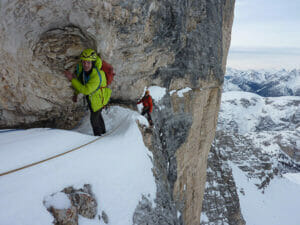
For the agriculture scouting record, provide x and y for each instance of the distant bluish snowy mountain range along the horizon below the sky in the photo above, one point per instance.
(264, 83)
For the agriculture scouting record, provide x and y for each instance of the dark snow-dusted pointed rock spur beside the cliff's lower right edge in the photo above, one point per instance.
(221, 201)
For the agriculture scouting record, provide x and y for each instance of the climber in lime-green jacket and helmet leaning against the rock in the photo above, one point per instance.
(90, 80)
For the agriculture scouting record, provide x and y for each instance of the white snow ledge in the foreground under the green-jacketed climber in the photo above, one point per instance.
(118, 167)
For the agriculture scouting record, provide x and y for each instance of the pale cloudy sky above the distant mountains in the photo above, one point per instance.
(265, 35)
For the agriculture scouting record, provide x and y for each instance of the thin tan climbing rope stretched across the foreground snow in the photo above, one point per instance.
(58, 155)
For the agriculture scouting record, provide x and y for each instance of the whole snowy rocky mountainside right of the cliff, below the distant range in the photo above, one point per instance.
(253, 173)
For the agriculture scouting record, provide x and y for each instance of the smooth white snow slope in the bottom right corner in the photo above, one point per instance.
(274, 207)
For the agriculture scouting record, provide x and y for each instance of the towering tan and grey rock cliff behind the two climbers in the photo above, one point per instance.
(173, 44)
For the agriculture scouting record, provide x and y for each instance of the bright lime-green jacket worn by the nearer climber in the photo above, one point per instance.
(98, 97)
